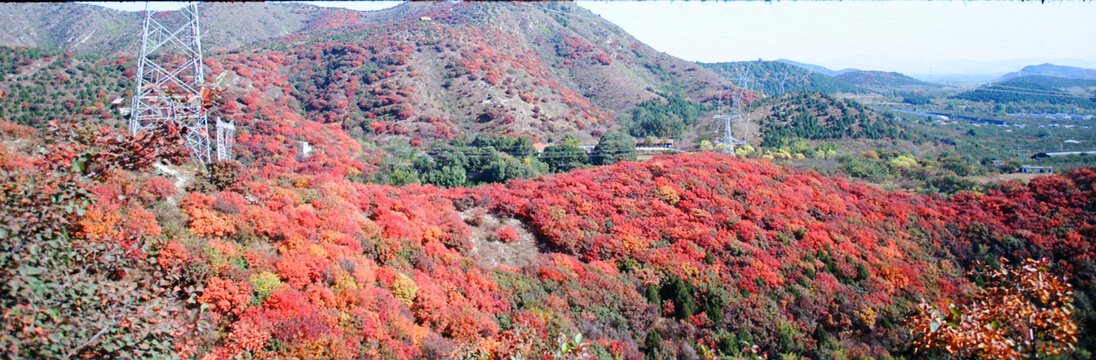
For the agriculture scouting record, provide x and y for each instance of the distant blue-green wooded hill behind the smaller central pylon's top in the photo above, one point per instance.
(775, 78)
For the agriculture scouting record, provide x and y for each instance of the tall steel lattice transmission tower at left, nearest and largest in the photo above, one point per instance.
(170, 80)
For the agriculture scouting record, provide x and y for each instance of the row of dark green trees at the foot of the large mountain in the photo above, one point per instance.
(488, 160)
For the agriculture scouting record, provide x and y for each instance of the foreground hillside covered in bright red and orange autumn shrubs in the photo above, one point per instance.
(680, 255)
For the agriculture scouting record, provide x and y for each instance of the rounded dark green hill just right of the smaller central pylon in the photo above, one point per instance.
(813, 116)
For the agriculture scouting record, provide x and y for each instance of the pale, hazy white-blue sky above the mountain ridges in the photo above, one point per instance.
(915, 38)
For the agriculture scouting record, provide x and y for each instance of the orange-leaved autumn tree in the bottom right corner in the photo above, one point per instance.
(1022, 312)
